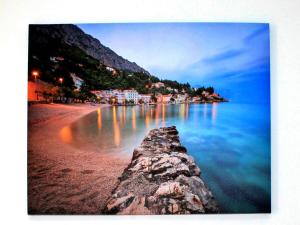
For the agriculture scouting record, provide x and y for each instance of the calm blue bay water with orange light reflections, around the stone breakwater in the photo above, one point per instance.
(230, 142)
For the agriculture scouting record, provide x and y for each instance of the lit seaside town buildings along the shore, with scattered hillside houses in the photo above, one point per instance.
(43, 92)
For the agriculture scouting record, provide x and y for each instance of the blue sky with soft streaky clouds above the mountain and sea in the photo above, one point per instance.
(234, 58)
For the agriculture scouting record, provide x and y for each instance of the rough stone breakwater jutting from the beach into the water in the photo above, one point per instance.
(161, 179)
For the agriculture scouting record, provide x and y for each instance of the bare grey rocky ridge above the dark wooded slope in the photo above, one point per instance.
(72, 35)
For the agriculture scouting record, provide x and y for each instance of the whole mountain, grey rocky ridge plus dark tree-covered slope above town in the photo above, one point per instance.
(58, 52)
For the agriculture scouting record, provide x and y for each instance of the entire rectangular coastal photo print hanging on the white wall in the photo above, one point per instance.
(149, 118)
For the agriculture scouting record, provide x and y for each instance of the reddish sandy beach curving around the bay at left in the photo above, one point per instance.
(62, 179)
